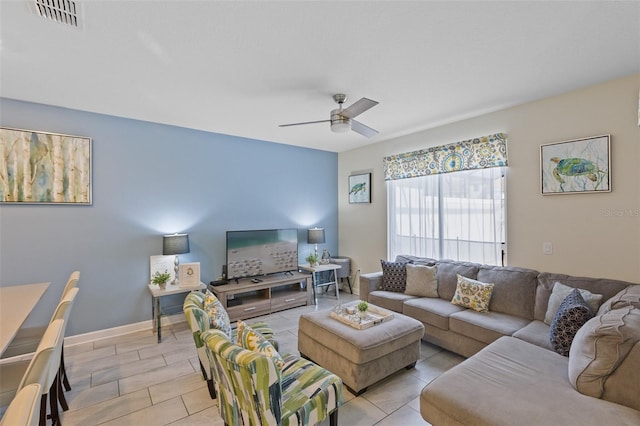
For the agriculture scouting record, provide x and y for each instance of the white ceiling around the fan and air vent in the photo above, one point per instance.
(241, 68)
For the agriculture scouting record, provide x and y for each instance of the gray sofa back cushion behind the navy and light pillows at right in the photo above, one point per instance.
(546, 280)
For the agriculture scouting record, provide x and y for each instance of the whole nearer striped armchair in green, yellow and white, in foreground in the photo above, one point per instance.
(253, 390)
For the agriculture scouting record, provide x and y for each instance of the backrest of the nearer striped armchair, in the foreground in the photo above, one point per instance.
(247, 383)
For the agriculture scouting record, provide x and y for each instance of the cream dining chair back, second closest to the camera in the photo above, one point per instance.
(43, 367)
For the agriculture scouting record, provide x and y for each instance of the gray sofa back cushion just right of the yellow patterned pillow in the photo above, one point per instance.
(514, 289)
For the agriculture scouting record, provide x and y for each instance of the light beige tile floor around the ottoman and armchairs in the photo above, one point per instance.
(133, 380)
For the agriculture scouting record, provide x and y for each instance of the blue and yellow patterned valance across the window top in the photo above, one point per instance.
(477, 153)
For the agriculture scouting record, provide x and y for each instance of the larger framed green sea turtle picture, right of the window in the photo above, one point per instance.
(576, 166)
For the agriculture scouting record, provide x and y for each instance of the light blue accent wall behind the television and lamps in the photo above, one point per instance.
(148, 180)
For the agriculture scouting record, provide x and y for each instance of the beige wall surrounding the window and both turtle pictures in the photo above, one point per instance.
(596, 235)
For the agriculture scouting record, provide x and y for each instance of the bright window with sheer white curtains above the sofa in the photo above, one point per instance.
(458, 215)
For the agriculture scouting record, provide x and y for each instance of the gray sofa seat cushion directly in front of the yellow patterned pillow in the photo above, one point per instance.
(485, 326)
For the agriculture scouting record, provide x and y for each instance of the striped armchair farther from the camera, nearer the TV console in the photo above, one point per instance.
(204, 312)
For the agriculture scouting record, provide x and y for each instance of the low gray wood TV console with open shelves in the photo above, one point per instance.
(273, 293)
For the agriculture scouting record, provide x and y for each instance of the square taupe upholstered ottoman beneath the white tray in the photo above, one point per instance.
(360, 357)
